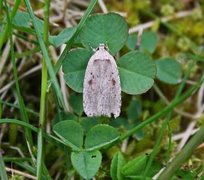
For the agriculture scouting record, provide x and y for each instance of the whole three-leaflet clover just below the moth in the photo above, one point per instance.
(86, 162)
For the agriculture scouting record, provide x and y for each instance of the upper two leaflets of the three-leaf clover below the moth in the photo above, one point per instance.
(96, 137)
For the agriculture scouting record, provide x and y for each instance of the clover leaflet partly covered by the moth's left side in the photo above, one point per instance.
(74, 67)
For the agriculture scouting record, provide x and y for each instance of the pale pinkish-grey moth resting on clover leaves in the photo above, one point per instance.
(101, 87)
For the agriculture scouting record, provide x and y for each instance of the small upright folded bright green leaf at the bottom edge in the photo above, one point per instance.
(116, 165)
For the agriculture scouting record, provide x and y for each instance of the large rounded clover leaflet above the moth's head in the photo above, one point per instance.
(110, 29)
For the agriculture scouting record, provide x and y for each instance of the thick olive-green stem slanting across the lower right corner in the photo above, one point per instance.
(184, 154)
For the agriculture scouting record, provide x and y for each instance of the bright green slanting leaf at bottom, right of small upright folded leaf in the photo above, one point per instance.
(135, 166)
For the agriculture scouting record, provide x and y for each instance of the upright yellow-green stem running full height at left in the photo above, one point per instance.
(43, 95)
